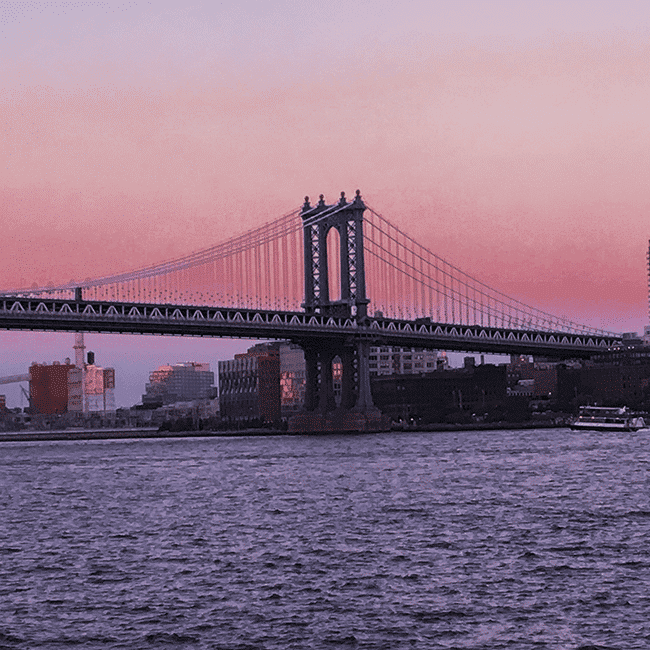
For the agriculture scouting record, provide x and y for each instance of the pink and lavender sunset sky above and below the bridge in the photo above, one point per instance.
(510, 137)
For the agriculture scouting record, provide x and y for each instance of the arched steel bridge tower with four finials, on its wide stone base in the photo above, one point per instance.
(356, 411)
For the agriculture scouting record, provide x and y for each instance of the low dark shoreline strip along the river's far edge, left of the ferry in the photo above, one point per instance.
(153, 432)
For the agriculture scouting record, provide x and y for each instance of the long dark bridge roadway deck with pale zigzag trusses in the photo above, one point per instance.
(36, 313)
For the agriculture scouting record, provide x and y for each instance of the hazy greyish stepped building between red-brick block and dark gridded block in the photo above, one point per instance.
(180, 382)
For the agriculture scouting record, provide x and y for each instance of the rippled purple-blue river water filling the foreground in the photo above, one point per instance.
(508, 539)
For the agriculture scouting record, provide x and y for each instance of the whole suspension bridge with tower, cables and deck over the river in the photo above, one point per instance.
(334, 278)
